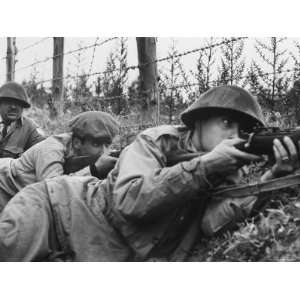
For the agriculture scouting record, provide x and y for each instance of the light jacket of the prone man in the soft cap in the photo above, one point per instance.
(43, 160)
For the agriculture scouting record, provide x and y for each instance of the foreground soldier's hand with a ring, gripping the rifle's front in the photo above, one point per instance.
(286, 156)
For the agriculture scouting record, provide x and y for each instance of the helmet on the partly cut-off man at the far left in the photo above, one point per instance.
(15, 91)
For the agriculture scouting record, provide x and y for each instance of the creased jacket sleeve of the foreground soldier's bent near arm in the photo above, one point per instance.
(145, 188)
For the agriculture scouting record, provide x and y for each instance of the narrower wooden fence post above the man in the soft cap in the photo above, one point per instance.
(57, 79)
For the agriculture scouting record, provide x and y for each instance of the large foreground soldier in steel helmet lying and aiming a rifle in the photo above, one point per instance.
(145, 208)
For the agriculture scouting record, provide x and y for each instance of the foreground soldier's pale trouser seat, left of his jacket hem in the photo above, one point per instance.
(26, 226)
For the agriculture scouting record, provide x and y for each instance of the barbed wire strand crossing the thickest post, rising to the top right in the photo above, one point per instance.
(133, 67)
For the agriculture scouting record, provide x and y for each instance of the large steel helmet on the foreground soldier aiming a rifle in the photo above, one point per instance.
(230, 98)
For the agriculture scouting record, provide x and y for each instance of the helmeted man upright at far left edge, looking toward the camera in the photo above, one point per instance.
(17, 133)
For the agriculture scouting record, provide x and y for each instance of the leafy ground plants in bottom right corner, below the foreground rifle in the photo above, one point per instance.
(272, 235)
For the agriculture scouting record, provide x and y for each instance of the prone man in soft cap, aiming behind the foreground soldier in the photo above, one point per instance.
(91, 135)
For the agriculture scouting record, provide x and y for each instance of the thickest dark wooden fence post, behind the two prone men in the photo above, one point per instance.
(148, 73)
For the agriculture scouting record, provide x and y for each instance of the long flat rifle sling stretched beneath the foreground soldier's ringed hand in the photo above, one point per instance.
(257, 187)
